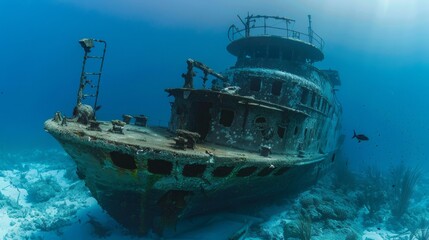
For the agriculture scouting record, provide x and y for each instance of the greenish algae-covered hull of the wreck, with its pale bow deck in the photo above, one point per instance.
(144, 183)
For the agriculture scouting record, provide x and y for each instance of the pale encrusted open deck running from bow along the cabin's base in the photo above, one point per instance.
(159, 138)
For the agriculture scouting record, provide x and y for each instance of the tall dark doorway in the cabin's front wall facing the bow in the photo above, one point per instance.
(201, 118)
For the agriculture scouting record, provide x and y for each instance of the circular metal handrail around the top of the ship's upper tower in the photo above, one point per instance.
(260, 27)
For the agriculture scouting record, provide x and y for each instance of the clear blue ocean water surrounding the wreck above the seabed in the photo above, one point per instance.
(380, 49)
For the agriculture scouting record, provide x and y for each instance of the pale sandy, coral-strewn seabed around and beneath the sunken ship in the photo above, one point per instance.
(42, 198)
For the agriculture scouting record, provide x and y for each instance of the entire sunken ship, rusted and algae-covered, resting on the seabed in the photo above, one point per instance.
(269, 125)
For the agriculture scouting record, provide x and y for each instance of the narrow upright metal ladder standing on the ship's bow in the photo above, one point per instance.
(91, 71)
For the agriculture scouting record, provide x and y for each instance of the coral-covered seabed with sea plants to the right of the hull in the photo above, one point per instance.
(333, 210)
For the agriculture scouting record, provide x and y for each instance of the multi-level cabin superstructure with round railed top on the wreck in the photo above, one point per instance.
(273, 98)
